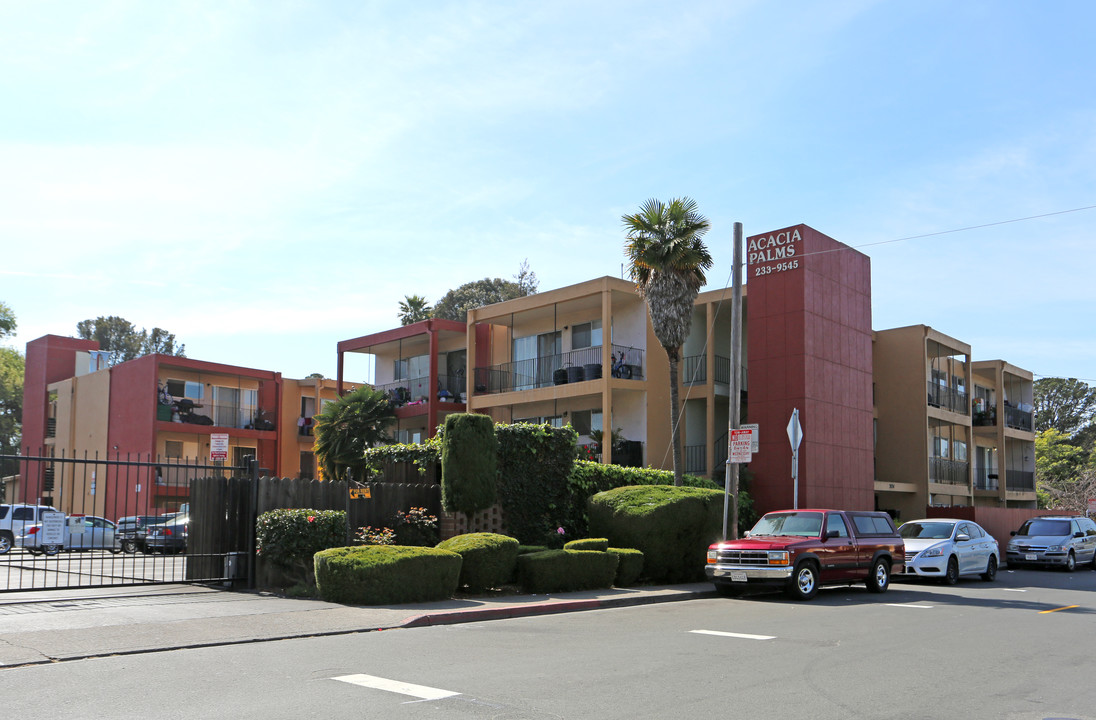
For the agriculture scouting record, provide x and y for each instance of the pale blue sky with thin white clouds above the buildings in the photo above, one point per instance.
(266, 179)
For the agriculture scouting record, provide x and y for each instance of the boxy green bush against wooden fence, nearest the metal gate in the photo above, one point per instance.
(289, 539)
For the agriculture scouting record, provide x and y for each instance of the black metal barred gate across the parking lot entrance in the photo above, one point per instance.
(124, 521)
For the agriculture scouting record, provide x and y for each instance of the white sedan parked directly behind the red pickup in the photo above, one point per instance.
(946, 548)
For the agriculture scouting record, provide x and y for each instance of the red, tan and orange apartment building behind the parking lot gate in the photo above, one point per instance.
(157, 408)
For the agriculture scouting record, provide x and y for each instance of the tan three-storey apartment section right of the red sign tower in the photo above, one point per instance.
(950, 431)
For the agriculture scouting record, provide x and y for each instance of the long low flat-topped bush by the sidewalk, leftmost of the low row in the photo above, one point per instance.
(380, 575)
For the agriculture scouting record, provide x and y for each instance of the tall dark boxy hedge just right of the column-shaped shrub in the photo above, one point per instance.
(534, 465)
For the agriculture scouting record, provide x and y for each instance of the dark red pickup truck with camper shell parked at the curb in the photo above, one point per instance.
(802, 551)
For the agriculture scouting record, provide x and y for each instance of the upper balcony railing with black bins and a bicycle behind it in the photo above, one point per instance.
(563, 369)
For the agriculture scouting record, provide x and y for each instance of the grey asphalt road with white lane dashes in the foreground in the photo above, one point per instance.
(1018, 648)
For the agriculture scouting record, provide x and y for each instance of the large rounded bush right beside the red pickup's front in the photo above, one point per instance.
(672, 527)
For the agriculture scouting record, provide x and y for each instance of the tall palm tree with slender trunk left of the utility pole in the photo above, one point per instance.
(667, 264)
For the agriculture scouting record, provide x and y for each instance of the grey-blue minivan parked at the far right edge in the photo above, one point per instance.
(1055, 541)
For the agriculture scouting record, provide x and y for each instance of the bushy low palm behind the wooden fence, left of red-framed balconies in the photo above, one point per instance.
(347, 428)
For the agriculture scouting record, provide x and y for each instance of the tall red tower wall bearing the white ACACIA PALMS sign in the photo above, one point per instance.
(809, 347)
